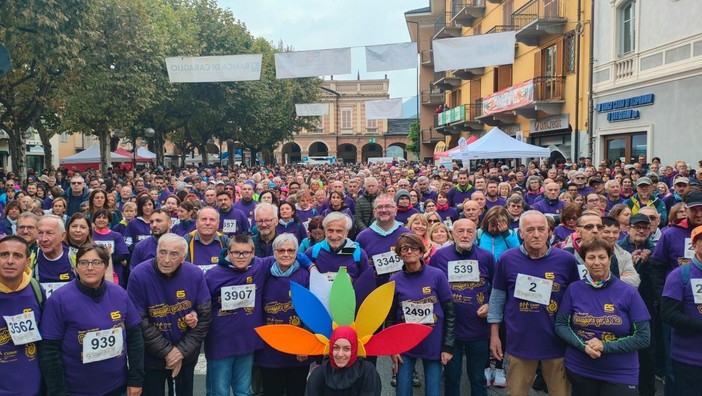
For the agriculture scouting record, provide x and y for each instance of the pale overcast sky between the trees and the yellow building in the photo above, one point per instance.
(322, 24)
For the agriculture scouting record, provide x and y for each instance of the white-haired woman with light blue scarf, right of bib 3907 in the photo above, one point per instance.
(282, 374)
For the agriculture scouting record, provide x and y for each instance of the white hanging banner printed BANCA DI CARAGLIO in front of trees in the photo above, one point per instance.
(214, 68)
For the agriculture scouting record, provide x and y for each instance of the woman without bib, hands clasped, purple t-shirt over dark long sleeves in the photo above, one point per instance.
(604, 322)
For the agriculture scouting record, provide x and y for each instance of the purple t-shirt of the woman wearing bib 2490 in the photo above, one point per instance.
(427, 286)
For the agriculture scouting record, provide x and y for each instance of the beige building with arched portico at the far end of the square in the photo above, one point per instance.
(345, 133)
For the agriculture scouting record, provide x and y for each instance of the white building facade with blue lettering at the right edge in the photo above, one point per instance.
(646, 79)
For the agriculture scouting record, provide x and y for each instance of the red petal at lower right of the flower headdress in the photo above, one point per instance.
(397, 339)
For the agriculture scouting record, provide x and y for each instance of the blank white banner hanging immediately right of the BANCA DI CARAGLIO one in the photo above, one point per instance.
(313, 63)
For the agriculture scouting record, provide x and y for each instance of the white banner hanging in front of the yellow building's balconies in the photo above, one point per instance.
(474, 51)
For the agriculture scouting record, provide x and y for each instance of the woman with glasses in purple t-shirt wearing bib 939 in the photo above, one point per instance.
(91, 331)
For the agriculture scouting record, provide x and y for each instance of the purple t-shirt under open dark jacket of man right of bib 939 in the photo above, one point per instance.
(166, 300)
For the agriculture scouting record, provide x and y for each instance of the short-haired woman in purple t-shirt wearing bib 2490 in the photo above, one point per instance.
(422, 295)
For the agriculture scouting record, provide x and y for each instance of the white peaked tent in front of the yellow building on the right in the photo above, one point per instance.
(497, 144)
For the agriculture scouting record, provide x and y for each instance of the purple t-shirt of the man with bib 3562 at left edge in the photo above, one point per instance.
(19, 365)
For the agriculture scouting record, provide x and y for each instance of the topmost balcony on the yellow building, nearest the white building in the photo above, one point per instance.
(539, 18)
